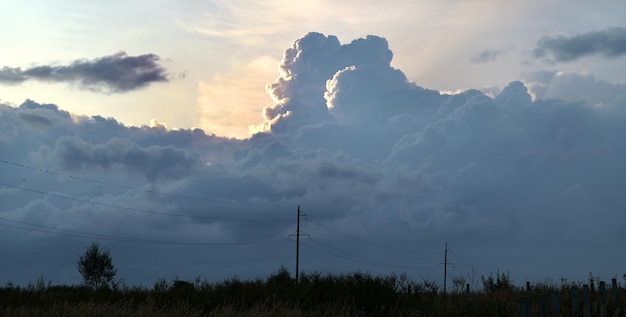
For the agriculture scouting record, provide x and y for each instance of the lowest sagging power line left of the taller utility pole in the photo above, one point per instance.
(82, 234)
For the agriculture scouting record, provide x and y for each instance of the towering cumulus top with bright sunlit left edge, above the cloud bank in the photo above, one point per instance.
(312, 60)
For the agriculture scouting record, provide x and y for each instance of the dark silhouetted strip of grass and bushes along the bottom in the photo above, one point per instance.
(355, 294)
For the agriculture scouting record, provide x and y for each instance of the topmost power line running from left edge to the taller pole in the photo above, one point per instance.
(149, 191)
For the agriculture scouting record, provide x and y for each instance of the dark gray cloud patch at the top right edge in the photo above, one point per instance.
(608, 43)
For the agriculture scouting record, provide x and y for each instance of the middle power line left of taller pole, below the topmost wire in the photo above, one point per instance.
(142, 210)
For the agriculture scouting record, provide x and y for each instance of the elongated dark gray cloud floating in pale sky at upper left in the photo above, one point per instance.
(112, 74)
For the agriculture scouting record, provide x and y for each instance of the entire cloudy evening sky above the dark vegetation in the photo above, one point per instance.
(184, 136)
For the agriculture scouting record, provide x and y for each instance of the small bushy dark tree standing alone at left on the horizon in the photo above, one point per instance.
(96, 266)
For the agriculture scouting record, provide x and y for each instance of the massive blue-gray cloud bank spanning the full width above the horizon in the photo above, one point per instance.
(534, 187)
